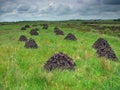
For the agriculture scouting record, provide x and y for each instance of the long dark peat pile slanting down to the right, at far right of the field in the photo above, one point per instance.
(104, 50)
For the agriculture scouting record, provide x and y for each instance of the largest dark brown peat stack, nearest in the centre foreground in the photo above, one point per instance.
(60, 61)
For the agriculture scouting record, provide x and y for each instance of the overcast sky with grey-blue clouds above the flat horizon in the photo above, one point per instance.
(27, 10)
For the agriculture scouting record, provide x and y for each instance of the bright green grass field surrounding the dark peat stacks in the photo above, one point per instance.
(22, 69)
